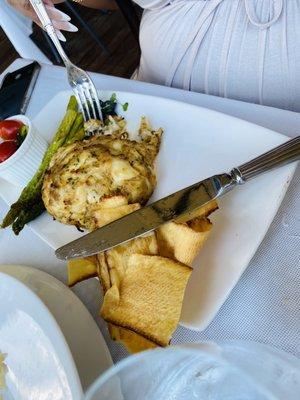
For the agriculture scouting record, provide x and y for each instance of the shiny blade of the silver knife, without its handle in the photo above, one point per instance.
(179, 204)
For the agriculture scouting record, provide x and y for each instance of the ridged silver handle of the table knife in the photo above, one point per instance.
(284, 154)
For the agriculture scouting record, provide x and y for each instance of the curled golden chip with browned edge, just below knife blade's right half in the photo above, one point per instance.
(182, 242)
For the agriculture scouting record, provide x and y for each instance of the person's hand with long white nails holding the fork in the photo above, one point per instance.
(60, 20)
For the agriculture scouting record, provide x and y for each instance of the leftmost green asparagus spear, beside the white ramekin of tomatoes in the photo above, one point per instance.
(33, 189)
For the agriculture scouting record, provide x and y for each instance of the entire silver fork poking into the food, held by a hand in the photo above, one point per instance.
(80, 82)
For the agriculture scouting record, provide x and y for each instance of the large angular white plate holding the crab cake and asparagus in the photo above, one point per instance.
(197, 144)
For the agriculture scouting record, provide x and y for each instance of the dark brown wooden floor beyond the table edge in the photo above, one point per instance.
(83, 50)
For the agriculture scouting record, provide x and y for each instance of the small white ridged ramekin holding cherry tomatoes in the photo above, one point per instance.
(20, 167)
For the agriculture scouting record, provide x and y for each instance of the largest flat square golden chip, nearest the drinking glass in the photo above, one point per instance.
(149, 298)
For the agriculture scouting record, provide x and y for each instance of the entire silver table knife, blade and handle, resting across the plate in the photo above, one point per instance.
(179, 204)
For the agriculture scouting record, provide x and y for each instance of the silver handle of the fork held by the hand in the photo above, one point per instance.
(47, 25)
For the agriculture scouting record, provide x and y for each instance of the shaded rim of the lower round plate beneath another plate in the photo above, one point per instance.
(82, 334)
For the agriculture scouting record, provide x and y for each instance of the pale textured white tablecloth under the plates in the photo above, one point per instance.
(265, 304)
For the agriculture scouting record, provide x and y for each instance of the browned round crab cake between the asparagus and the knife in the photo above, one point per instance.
(83, 175)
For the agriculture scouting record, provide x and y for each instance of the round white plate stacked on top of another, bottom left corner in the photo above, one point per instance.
(40, 365)
